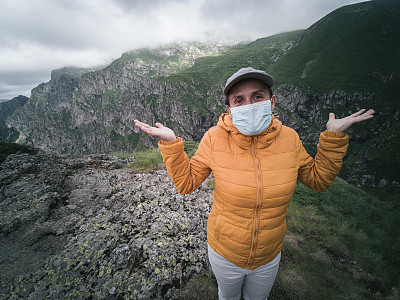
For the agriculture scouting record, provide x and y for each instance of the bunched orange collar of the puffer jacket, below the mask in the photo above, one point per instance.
(262, 140)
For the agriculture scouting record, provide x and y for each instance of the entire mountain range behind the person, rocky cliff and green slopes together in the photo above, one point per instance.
(348, 60)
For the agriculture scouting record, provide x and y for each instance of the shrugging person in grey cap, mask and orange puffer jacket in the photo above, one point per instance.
(256, 162)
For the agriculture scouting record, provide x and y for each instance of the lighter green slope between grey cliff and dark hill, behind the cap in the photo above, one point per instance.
(199, 87)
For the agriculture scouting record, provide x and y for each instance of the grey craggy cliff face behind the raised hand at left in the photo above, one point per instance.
(81, 111)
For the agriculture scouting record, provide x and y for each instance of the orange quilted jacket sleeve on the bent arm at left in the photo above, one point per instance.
(186, 174)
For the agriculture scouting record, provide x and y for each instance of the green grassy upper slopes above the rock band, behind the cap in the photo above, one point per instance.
(354, 48)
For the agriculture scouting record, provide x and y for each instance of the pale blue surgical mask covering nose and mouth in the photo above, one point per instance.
(252, 119)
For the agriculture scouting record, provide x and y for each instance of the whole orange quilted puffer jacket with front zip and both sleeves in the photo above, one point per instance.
(254, 178)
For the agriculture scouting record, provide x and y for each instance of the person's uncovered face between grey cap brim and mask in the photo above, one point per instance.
(249, 91)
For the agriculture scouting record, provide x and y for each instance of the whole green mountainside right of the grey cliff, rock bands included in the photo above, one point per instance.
(348, 60)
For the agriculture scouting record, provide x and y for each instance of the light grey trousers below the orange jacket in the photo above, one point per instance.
(256, 283)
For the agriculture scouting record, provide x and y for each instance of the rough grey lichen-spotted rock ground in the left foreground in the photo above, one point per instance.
(106, 233)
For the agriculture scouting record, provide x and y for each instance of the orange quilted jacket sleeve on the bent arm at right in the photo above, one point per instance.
(318, 173)
